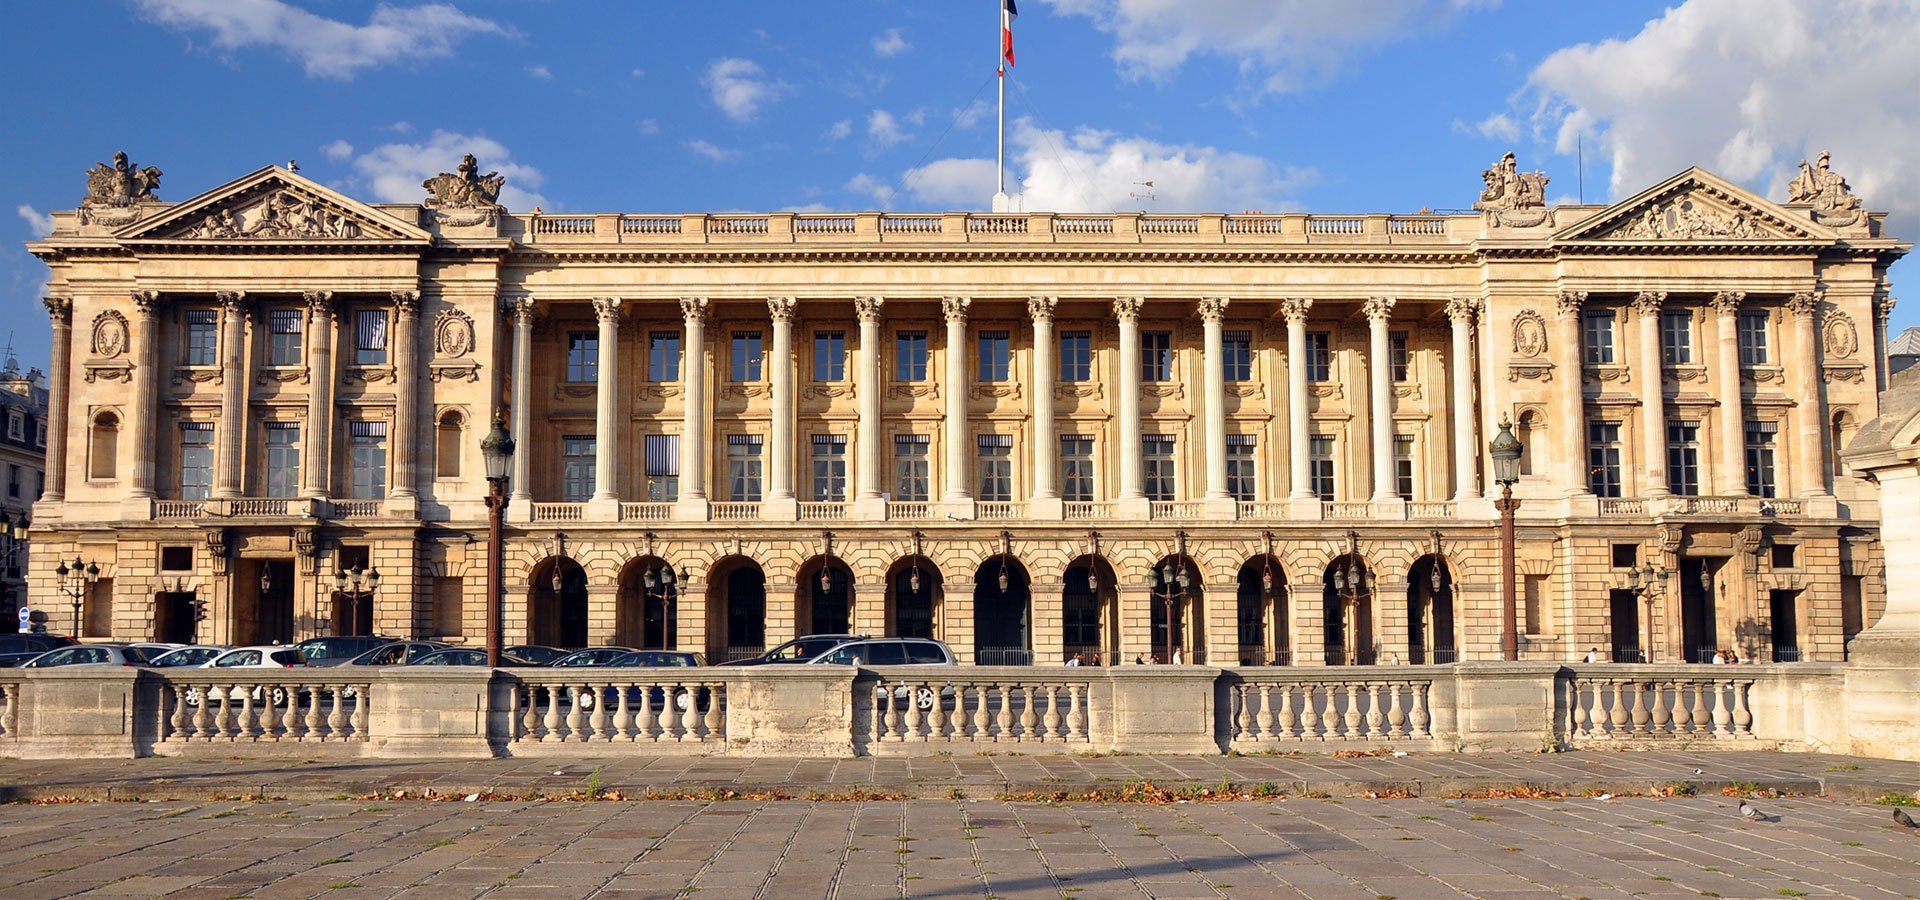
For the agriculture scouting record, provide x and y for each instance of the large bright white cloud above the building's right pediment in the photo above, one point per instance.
(1748, 89)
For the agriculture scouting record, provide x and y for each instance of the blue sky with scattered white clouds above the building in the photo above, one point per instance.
(888, 105)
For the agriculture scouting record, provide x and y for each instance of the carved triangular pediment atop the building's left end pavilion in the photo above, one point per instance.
(276, 206)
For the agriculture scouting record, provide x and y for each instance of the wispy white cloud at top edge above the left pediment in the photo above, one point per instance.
(327, 49)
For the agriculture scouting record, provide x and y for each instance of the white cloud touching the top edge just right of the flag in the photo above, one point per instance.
(1284, 45)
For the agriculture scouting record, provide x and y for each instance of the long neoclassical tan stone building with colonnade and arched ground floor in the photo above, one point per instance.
(1001, 431)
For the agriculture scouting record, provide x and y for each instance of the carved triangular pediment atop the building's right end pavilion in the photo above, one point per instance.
(1696, 208)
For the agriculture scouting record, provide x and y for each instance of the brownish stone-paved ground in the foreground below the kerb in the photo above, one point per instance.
(953, 849)
